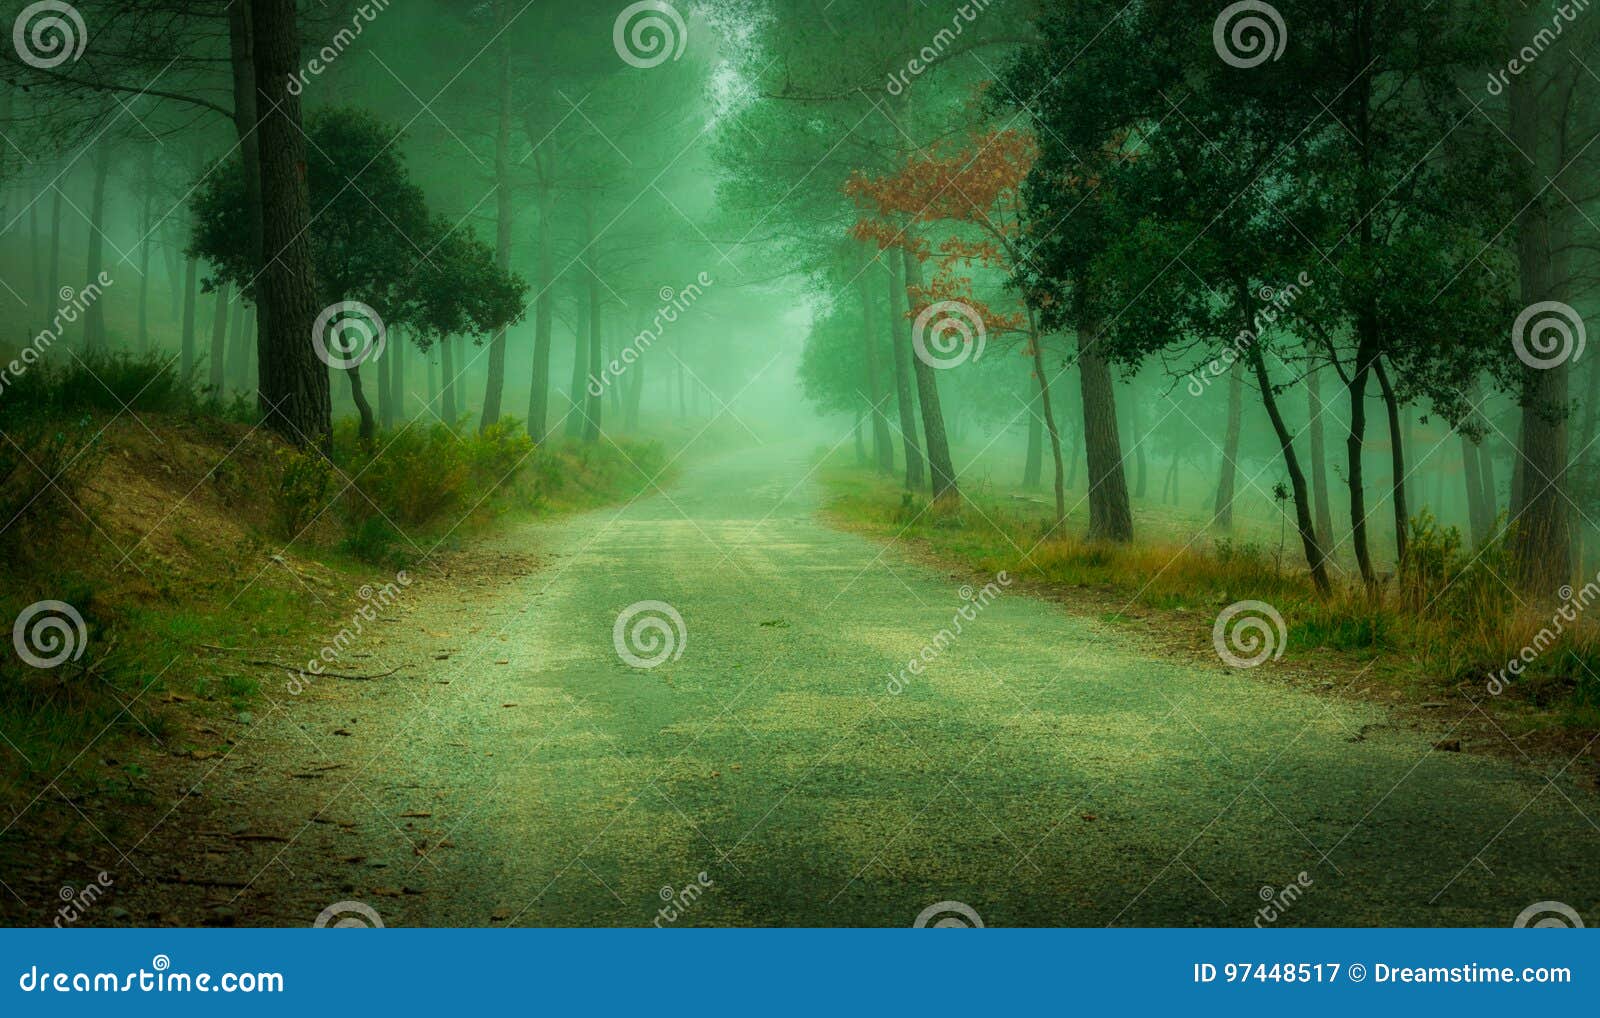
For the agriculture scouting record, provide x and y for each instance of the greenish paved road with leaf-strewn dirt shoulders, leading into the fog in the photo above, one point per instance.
(1047, 766)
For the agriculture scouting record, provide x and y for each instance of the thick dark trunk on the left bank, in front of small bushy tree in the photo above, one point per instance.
(295, 390)
